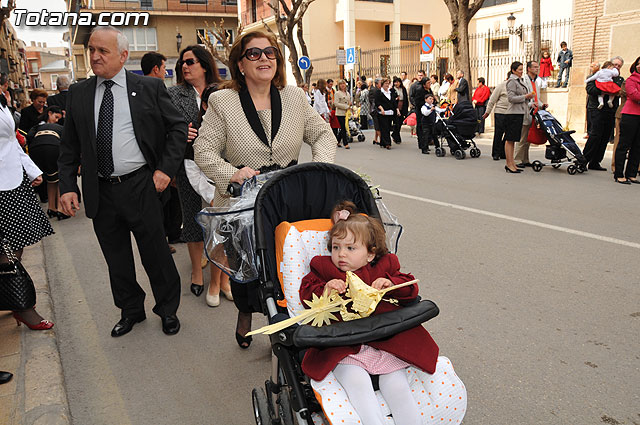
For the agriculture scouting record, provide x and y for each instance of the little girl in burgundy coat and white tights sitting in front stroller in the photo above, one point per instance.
(357, 244)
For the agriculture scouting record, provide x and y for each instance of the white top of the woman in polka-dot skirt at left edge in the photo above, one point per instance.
(12, 158)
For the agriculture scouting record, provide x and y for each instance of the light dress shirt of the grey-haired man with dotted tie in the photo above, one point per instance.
(127, 156)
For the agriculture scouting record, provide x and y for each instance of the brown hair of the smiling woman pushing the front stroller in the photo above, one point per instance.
(238, 48)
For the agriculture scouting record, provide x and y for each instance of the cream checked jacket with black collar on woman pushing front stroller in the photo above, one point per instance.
(227, 142)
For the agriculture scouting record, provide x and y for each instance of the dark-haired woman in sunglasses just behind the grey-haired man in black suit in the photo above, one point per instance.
(195, 70)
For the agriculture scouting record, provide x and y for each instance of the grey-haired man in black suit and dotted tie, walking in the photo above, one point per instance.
(130, 140)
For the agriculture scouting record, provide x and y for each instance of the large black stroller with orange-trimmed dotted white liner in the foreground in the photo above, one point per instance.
(290, 224)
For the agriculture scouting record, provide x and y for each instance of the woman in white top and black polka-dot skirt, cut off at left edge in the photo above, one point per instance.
(22, 221)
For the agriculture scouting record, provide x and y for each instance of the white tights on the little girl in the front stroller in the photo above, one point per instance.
(394, 388)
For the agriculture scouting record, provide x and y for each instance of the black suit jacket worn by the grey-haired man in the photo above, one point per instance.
(159, 127)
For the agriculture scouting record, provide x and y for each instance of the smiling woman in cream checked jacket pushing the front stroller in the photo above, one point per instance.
(257, 124)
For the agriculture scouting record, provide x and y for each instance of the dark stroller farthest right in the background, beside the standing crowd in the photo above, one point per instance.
(562, 149)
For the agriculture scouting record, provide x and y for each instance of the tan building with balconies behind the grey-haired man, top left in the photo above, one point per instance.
(172, 25)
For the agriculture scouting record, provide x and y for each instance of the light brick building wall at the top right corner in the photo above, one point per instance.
(603, 29)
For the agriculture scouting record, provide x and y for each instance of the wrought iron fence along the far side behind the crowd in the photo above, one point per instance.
(491, 53)
